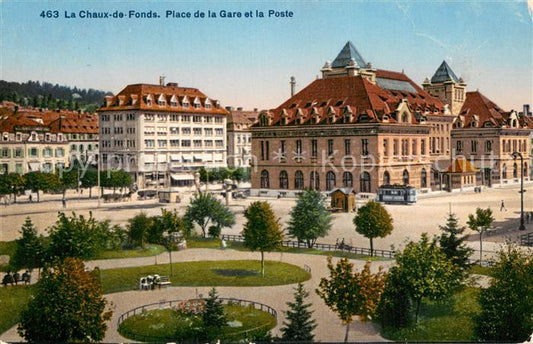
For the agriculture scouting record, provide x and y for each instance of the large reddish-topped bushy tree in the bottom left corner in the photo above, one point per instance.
(68, 306)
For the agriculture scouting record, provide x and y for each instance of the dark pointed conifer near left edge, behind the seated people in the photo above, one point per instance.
(29, 251)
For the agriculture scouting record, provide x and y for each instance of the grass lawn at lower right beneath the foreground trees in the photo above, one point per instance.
(446, 321)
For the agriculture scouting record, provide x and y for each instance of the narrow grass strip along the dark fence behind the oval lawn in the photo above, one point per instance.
(215, 243)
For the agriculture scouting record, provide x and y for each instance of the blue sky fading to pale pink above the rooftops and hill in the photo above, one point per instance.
(248, 62)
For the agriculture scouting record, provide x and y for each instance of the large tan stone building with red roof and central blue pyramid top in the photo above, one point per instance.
(356, 127)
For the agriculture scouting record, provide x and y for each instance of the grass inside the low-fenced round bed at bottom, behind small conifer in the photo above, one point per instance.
(168, 324)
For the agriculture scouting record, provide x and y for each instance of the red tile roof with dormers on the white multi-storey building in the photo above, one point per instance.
(134, 97)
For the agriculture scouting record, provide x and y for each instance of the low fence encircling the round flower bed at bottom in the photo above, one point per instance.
(170, 304)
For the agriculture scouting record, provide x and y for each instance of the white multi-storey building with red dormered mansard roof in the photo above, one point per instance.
(162, 133)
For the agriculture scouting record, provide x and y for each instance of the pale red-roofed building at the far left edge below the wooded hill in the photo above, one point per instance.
(30, 146)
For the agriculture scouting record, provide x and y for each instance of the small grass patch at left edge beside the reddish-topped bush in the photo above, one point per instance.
(12, 300)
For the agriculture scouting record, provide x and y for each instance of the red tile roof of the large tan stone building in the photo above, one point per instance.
(356, 94)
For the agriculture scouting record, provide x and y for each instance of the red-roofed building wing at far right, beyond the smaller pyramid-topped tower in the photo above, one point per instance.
(487, 136)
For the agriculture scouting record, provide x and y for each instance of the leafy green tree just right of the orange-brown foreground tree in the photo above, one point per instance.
(425, 270)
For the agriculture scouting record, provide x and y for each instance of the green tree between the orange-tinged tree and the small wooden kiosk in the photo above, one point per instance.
(310, 219)
